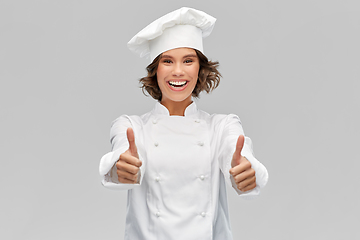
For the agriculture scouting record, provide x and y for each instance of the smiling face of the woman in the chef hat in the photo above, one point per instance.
(177, 74)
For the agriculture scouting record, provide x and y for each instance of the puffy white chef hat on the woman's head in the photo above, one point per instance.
(185, 27)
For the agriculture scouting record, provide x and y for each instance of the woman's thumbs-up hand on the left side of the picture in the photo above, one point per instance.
(128, 164)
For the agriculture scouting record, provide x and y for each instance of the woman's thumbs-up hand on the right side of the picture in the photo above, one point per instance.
(241, 170)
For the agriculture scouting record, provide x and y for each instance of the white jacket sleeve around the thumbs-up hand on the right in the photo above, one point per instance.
(231, 129)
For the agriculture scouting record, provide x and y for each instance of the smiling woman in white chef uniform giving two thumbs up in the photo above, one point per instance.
(175, 160)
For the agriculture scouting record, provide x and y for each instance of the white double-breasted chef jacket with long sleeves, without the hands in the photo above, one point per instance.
(185, 164)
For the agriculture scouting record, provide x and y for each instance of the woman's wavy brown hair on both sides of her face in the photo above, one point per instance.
(208, 78)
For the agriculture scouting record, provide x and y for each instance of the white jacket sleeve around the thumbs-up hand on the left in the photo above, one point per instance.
(119, 142)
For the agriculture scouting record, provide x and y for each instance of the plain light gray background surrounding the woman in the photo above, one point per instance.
(291, 72)
